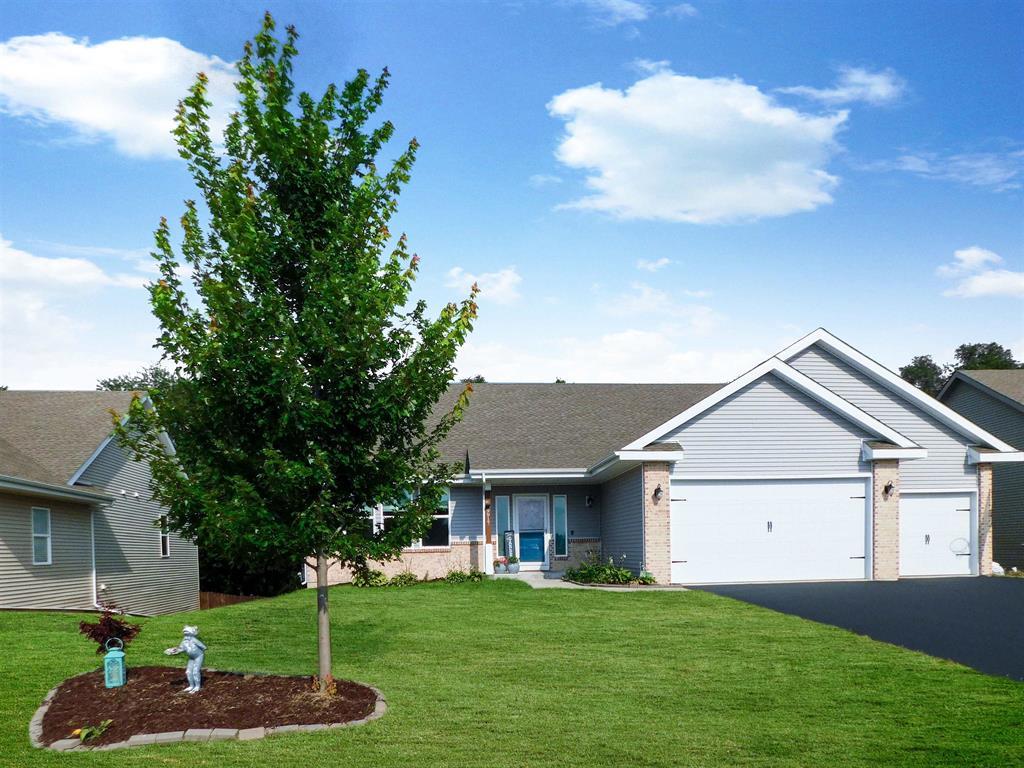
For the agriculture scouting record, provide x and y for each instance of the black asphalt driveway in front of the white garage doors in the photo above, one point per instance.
(976, 622)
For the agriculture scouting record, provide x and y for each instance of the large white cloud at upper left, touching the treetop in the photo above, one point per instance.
(123, 91)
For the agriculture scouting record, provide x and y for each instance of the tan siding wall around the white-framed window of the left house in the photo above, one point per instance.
(66, 584)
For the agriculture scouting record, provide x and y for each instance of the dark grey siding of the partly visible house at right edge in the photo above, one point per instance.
(1006, 423)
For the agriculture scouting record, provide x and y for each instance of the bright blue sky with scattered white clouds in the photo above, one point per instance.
(646, 191)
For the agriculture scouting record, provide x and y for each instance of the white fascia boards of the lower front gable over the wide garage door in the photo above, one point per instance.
(797, 379)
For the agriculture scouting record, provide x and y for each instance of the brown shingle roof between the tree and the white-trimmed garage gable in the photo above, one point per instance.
(564, 426)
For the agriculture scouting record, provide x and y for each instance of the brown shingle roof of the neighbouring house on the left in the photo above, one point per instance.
(47, 436)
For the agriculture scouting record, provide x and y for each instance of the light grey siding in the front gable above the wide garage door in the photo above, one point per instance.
(769, 429)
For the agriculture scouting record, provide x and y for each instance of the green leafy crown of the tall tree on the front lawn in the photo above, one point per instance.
(310, 375)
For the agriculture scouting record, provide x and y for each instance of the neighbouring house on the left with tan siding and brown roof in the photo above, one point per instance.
(78, 527)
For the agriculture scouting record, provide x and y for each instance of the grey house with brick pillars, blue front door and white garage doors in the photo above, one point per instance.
(818, 464)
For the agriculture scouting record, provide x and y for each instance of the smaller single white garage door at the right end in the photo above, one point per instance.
(935, 535)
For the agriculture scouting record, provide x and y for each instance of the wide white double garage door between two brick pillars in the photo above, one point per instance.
(770, 531)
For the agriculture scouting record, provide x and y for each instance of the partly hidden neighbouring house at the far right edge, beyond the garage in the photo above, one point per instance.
(995, 401)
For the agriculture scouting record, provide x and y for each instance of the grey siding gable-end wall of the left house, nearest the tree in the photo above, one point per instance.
(129, 561)
